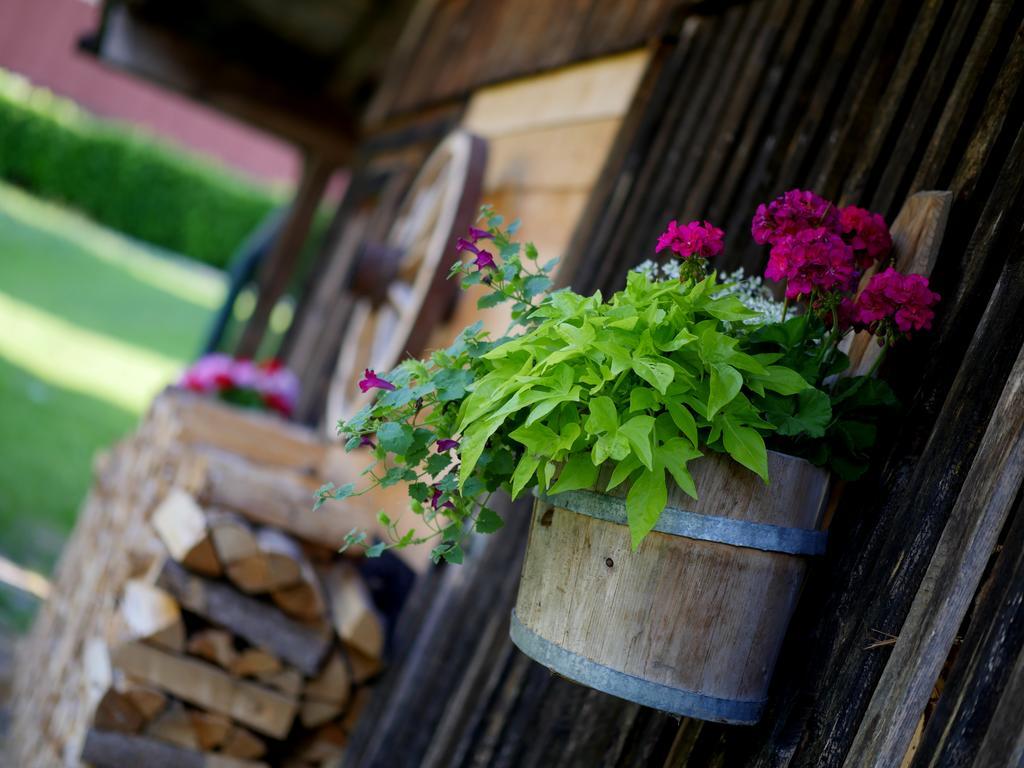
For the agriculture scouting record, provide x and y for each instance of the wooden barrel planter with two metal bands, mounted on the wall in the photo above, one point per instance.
(694, 621)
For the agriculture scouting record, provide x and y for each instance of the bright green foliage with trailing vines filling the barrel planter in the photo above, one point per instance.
(624, 393)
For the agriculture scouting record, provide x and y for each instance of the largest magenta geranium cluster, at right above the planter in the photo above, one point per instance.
(822, 252)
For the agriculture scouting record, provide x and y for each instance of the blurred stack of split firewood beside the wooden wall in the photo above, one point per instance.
(203, 614)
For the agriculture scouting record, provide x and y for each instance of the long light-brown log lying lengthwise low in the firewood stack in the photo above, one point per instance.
(210, 689)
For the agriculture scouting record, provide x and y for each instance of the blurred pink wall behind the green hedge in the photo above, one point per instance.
(38, 39)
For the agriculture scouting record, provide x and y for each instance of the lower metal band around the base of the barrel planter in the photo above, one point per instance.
(664, 698)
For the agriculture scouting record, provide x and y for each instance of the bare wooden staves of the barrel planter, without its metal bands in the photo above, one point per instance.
(586, 591)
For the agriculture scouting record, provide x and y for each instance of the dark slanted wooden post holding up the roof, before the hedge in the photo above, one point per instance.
(281, 264)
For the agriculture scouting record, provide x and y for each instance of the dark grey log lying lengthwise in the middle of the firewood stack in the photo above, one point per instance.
(303, 647)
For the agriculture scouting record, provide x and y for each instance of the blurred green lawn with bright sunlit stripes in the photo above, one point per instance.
(93, 325)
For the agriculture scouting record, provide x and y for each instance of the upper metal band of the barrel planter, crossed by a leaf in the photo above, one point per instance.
(676, 522)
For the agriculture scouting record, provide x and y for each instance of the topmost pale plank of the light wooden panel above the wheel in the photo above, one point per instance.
(598, 91)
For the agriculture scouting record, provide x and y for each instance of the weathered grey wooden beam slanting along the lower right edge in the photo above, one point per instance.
(950, 585)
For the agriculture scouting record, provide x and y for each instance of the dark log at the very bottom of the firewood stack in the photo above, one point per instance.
(104, 750)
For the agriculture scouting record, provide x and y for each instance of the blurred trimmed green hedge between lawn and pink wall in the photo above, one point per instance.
(124, 180)
